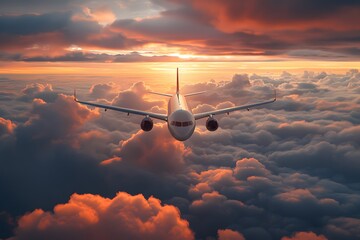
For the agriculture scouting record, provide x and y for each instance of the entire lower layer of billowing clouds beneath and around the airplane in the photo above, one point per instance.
(285, 171)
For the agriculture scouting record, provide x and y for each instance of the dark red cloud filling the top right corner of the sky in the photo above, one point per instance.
(233, 16)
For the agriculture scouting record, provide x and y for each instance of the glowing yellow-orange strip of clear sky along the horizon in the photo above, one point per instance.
(161, 75)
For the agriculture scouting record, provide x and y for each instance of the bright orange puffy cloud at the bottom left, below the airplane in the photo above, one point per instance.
(92, 217)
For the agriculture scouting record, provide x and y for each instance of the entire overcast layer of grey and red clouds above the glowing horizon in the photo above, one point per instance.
(34, 31)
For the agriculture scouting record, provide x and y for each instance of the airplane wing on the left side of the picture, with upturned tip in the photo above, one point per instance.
(125, 110)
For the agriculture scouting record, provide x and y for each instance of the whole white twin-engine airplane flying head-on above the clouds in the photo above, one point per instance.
(180, 119)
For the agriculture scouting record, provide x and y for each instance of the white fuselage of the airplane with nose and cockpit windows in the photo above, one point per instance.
(181, 121)
